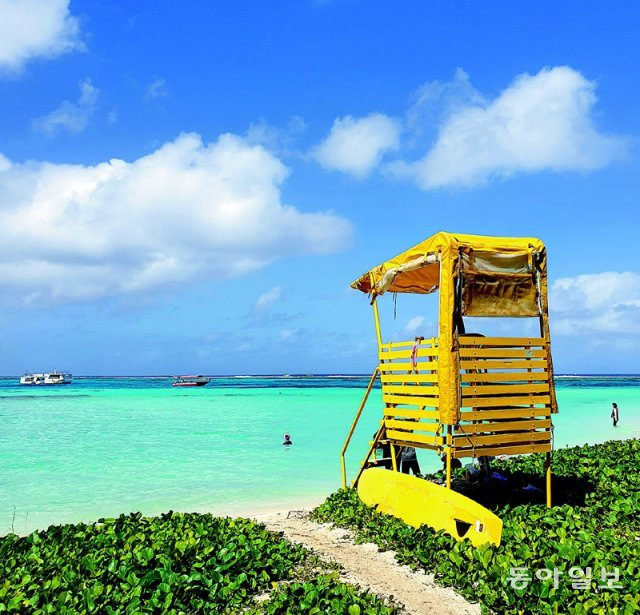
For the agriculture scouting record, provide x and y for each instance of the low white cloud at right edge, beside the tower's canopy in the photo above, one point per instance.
(596, 303)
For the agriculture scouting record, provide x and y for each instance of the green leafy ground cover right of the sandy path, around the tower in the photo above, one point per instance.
(598, 527)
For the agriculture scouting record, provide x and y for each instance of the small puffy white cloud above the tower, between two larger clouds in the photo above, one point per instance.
(356, 145)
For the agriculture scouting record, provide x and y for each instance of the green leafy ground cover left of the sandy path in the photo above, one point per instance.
(176, 563)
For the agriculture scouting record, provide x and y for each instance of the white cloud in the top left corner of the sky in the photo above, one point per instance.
(35, 28)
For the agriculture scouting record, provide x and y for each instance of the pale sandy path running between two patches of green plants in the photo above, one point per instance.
(364, 565)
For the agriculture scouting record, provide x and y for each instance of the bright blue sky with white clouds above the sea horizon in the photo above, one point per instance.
(191, 187)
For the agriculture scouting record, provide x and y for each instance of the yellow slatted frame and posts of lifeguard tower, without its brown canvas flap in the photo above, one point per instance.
(463, 392)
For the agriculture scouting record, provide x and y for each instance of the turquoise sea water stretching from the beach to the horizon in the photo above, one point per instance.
(100, 447)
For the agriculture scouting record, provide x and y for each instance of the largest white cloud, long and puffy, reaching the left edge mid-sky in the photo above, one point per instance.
(186, 211)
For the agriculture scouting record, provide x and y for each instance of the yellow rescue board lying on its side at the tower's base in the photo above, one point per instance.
(420, 502)
